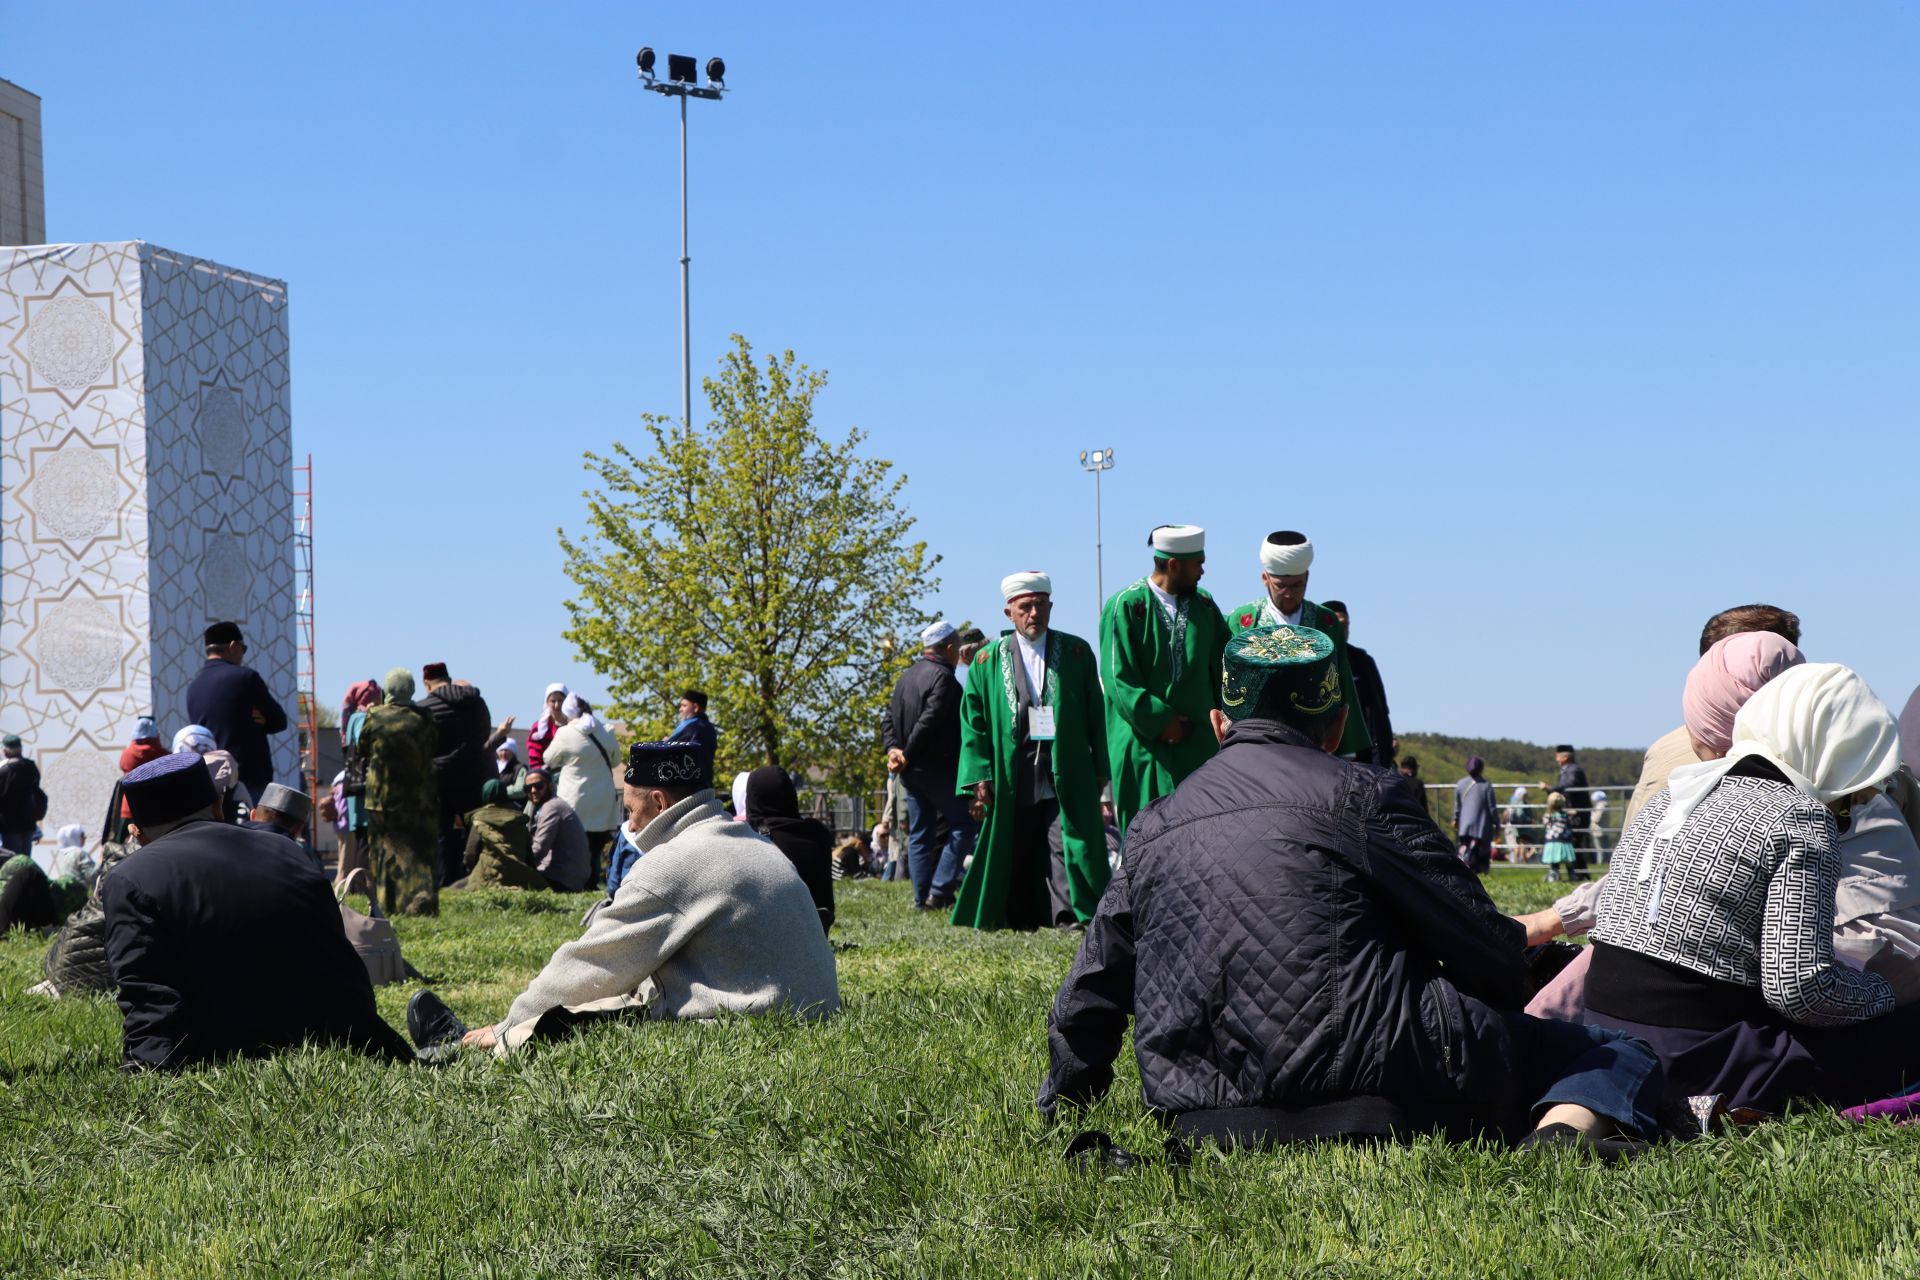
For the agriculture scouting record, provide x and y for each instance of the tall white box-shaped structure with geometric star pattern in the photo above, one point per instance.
(145, 492)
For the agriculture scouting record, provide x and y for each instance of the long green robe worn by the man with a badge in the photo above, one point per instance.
(988, 755)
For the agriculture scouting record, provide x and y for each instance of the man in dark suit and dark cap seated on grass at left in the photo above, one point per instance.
(228, 941)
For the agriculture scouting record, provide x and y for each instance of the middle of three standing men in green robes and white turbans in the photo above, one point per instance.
(1161, 661)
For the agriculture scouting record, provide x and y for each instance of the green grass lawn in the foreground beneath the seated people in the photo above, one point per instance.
(894, 1141)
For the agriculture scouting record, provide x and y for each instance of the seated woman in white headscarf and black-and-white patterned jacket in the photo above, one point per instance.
(1716, 936)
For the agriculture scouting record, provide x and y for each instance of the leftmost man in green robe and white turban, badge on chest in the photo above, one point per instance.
(1034, 755)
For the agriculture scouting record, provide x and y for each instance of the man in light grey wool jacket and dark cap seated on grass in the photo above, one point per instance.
(713, 920)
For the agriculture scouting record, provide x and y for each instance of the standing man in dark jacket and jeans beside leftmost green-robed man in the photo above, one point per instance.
(923, 738)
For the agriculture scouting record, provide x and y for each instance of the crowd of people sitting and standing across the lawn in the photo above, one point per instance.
(1209, 797)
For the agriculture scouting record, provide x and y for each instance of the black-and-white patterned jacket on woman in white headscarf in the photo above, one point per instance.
(1744, 895)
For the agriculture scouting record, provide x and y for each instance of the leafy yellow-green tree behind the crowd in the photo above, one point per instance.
(756, 559)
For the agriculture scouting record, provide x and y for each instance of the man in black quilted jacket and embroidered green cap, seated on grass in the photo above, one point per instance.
(1305, 955)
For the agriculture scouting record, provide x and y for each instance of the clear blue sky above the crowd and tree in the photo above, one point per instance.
(1556, 327)
